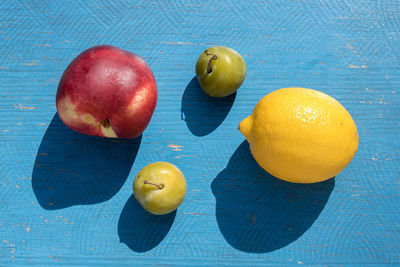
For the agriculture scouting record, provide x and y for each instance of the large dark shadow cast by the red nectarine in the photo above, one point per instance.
(75, 169)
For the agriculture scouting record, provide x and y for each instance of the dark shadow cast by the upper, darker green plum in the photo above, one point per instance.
(202, 113)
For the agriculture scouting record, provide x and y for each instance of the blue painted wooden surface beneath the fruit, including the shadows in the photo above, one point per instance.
(66, 199)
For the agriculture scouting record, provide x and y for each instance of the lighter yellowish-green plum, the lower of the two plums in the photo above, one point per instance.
(160, 187)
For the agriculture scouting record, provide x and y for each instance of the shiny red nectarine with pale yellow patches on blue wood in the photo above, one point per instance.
(108, 92)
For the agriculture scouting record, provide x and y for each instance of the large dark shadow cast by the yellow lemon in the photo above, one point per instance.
(259, 213)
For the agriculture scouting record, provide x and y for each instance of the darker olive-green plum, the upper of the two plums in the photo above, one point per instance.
(220, 71)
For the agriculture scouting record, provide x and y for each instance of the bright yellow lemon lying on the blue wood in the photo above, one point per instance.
(301, 135)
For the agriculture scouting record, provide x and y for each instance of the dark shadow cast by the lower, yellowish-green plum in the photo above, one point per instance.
(140, 230)
